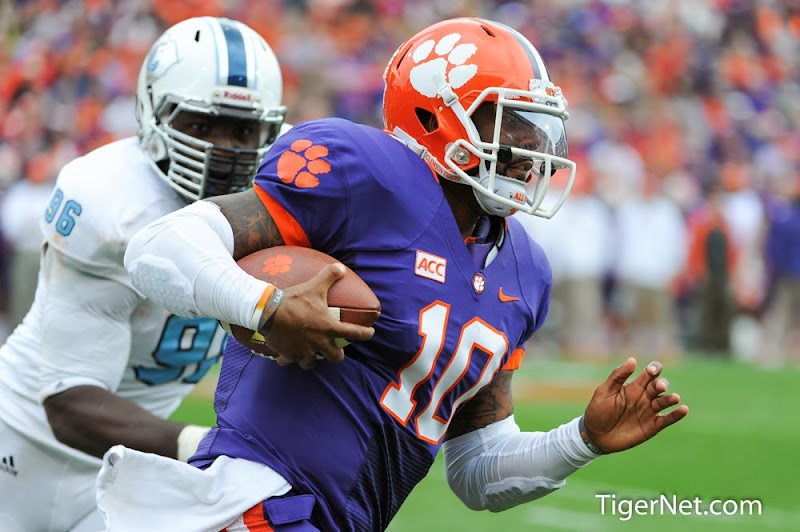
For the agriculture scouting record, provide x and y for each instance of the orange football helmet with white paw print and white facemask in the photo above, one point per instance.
(437, 80)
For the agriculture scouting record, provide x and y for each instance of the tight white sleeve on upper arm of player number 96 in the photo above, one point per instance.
(86, 331)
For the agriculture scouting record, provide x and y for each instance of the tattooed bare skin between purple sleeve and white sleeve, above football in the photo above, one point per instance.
(253, 227)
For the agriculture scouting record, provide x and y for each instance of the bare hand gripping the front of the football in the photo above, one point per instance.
(303, 327)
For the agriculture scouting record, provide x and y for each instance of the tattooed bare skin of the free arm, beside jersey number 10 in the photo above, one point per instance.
(491, 404)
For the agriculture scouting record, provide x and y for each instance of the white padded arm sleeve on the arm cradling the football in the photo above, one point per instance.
(183, 262)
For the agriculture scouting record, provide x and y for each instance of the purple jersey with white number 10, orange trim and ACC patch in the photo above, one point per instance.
(361, 434)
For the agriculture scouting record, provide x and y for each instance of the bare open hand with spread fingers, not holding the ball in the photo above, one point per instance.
(620, 415)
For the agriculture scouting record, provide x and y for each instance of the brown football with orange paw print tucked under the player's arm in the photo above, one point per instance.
(350, 299)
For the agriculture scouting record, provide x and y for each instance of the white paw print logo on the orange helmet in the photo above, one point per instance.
(450, 64)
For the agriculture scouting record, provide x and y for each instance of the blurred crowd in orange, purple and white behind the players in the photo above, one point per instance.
(681, 234)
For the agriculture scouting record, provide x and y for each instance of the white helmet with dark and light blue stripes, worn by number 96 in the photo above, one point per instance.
(216, 67)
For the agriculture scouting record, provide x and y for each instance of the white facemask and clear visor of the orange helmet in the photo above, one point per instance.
(526, 135)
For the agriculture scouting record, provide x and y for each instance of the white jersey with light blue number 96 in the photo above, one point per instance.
(88, 325)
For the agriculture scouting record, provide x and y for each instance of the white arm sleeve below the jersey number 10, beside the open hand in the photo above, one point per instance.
(498, 467)
